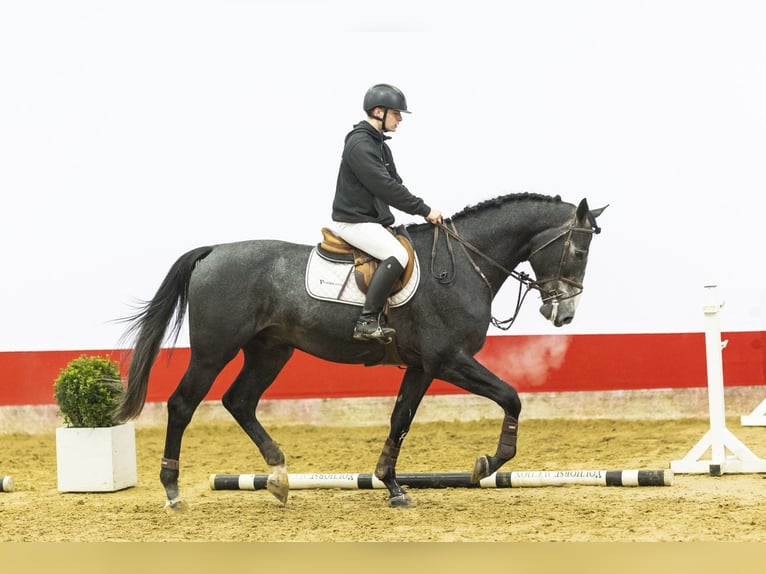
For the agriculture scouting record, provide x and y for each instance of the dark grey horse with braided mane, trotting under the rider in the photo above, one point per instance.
(250, 297)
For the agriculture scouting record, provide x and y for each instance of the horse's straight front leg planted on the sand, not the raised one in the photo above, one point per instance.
(414, 386)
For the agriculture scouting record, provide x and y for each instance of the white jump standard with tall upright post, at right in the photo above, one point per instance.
(718, 440)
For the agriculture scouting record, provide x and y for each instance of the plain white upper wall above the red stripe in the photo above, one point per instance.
(131, 132)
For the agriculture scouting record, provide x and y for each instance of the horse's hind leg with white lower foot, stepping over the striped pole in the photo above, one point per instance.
(263, 362)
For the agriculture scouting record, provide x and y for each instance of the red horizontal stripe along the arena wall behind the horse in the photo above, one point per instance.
(545, 363)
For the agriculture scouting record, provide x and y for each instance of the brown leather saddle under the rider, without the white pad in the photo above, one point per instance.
(334, 248)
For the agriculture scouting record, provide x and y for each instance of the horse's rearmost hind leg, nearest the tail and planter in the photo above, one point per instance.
(181, 406)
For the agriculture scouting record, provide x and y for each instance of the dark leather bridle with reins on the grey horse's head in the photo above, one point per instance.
(553, 296)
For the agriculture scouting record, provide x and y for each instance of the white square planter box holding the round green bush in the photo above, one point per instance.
(96, 459)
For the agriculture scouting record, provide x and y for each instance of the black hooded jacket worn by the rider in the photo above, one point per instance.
(368, 183)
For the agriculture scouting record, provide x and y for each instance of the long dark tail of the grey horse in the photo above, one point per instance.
(151, 323)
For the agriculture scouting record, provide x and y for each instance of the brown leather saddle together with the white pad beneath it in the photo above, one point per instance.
(339, 272)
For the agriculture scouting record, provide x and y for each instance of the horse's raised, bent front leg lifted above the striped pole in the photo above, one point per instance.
(467, 373)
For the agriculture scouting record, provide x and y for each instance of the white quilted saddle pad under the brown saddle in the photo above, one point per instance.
(330, 281)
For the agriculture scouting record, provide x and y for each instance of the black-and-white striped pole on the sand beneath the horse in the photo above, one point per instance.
(360, 481)
